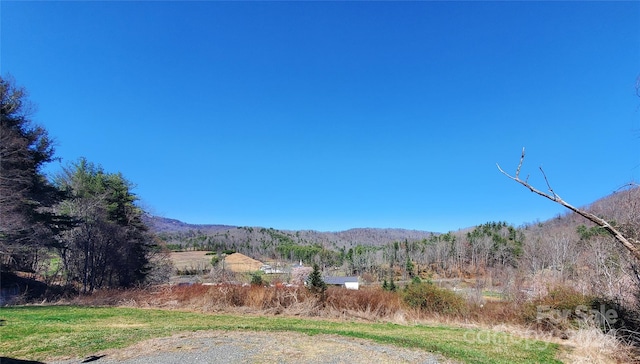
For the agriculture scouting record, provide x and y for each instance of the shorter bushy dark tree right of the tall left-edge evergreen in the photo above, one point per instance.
(110, 246)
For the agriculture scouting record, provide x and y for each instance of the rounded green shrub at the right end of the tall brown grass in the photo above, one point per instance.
(431, 298)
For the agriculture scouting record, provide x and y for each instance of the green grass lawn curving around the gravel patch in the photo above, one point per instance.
(44, 332)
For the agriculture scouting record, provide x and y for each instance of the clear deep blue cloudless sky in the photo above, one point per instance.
(335, 115)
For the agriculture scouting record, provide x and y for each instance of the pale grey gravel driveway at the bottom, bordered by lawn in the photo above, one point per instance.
(258, 347)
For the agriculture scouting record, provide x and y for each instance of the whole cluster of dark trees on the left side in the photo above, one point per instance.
(84, 224)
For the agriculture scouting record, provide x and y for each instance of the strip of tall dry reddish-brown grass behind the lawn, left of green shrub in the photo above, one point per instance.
(366, 304)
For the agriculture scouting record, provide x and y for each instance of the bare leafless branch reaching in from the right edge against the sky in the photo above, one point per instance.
(629, 243)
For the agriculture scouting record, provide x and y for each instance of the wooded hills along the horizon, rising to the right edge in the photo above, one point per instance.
(563, 249)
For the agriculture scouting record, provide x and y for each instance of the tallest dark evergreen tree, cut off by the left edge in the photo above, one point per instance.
(27, 222)
